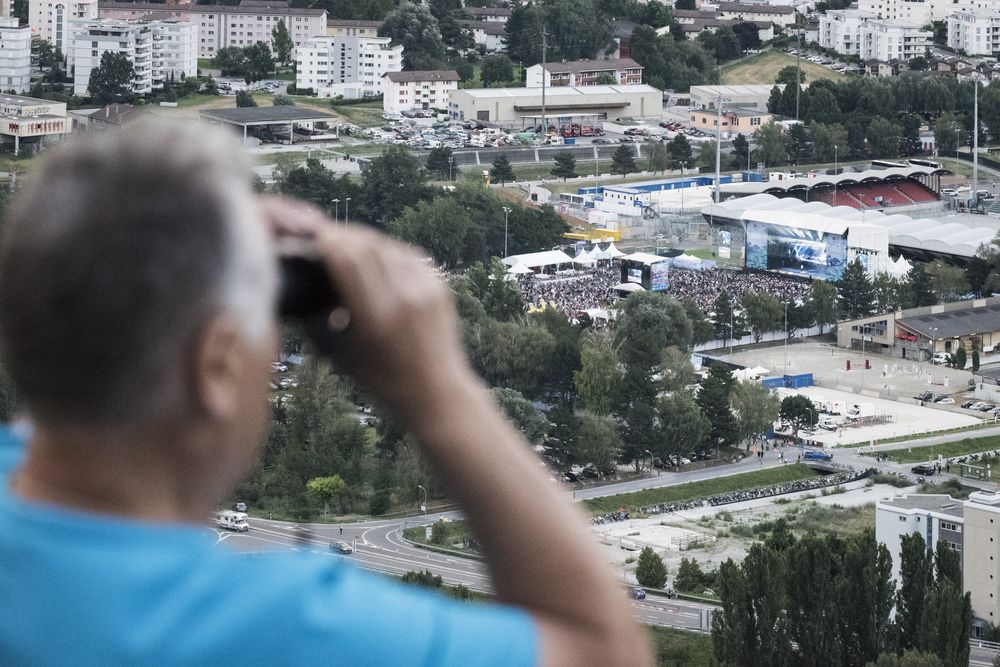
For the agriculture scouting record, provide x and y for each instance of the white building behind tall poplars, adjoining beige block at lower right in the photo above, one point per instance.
(934, 516)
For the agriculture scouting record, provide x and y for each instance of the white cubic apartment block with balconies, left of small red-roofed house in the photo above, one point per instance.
(349, 66)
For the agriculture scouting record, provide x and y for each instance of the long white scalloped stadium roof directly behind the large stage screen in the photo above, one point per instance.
(921, 234)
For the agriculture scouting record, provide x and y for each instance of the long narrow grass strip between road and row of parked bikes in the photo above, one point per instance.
(701, 489)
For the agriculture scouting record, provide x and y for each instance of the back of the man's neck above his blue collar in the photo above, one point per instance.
(150, 480)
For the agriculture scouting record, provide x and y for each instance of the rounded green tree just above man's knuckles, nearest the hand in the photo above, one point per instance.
(439, 226)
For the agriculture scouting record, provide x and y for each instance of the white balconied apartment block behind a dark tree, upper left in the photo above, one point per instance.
(160, 51)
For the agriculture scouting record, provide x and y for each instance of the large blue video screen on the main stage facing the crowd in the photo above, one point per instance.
(798, 252)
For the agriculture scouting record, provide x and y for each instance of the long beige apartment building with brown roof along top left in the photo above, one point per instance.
(222, 26)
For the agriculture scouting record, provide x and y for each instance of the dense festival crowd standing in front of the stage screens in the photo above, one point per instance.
(594, 288)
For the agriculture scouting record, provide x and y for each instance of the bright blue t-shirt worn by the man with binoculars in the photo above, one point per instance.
(88, 589)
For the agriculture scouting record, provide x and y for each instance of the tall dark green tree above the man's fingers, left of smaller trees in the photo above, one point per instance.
(390, 183)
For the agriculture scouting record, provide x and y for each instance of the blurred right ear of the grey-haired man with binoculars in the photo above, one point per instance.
(218, 361)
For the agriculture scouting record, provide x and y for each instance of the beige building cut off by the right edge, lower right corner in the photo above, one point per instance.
(981, 556)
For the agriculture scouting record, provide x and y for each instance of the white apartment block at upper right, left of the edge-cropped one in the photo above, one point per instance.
(857, 33)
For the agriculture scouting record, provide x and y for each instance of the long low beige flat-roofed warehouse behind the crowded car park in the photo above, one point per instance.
(513, 107)
